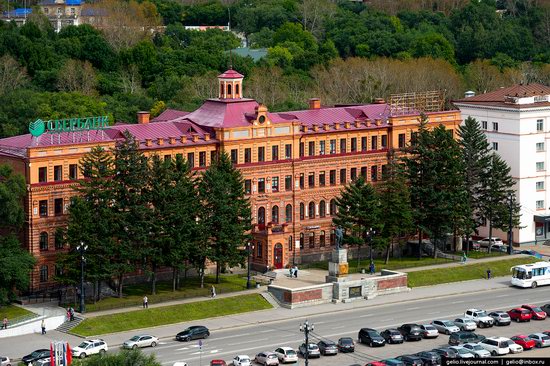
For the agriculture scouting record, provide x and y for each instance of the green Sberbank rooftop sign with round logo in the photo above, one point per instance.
(39, 126)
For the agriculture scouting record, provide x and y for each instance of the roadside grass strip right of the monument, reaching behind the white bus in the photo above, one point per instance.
(465, 272)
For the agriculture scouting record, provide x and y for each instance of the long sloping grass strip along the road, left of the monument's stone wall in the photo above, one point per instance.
(170, 314)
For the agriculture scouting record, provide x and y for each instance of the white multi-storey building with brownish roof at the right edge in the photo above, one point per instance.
(516, 121)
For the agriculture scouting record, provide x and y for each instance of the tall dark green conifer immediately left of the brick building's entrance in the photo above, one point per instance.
(226, 215)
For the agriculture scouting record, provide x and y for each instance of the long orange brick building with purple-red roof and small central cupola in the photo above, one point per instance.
(294, 165)
